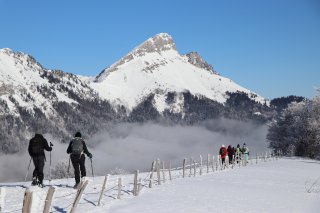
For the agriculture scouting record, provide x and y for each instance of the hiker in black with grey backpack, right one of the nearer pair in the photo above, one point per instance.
(77, 148)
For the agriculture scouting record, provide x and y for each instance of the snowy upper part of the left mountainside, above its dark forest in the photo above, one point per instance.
(23, 78)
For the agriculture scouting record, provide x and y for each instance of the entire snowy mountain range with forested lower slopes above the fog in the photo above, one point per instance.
(156, 84)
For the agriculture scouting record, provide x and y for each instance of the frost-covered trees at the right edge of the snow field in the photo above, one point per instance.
(297, 128)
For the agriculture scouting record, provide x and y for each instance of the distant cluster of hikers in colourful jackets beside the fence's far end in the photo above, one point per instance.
(234, 154)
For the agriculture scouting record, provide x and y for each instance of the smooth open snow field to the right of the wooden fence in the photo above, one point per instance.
(277, 186)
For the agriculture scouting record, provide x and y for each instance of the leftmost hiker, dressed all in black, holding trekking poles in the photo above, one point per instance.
(36, 148)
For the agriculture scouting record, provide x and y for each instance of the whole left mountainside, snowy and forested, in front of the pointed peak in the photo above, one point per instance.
(35, 99)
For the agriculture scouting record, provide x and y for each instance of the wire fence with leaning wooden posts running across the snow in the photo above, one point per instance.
(119, 186)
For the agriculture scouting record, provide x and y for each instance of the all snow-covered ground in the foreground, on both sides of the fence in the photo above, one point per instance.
(272, 186)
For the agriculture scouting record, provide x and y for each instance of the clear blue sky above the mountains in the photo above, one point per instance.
(271, 47)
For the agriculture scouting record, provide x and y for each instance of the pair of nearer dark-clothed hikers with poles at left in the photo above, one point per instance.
(77, 148)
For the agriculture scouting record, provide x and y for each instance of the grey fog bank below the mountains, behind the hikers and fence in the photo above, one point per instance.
(135, 146)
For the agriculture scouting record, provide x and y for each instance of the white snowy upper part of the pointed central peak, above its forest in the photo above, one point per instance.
(156, 67)
